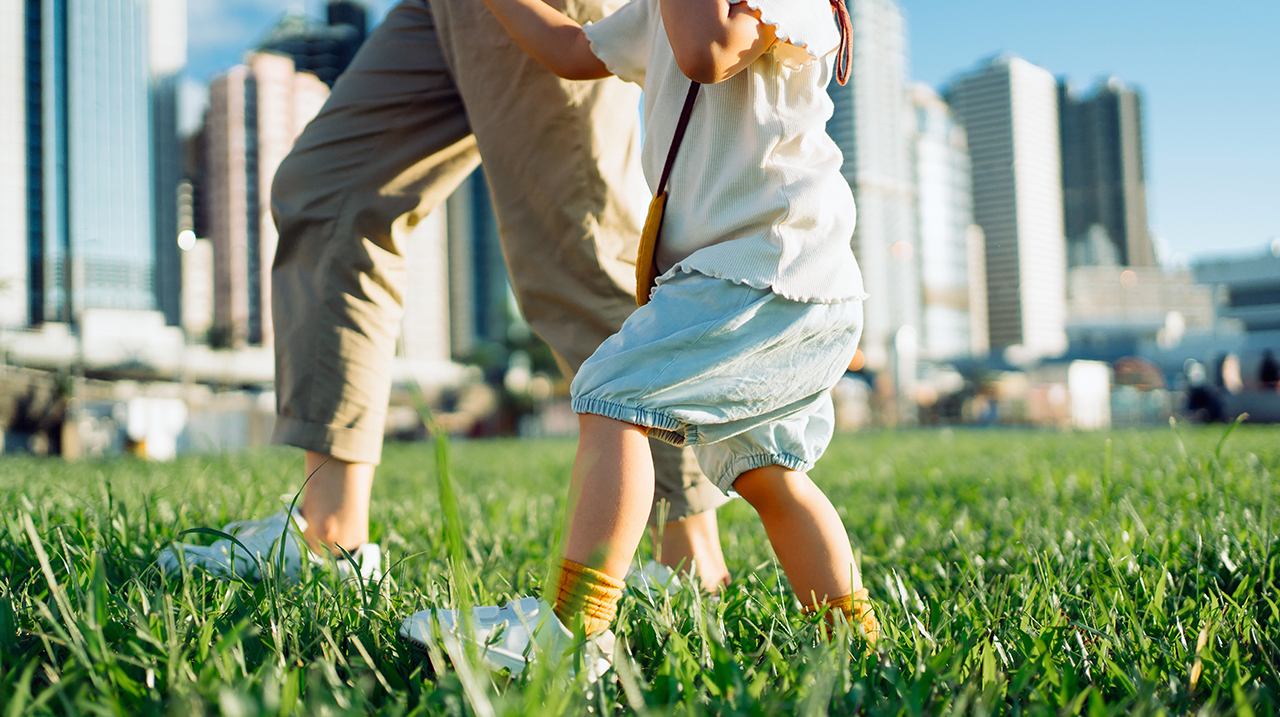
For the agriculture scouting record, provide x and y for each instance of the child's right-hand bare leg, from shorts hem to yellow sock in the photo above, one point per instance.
(806, 532)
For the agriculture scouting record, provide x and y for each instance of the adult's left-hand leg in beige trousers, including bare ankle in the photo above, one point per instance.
(387, 148)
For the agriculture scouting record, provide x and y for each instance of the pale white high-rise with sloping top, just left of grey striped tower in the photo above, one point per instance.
(953, 326)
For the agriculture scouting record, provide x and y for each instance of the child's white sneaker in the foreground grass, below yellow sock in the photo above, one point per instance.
(513, 637)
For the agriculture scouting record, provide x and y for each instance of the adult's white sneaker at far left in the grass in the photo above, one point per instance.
(266, 540)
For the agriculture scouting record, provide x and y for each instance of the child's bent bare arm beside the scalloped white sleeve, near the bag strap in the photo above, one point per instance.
(715, 40)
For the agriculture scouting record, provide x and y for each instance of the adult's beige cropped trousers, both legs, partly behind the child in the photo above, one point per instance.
(435, 88)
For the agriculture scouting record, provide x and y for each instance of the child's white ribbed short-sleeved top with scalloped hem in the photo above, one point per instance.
(756, 195)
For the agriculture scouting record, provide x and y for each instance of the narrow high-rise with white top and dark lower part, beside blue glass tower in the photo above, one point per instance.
(168, 57)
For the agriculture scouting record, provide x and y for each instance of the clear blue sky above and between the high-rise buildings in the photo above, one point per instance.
(1210, 75)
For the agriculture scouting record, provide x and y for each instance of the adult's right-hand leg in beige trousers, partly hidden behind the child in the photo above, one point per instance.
(570, 200)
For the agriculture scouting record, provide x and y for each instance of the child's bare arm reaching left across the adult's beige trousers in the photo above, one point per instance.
(551, 38)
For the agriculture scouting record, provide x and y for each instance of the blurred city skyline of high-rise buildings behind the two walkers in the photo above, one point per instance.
(972, 198)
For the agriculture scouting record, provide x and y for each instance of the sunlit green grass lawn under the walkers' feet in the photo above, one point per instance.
(1017, 573)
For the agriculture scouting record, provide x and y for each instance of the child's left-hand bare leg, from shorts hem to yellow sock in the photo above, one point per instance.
(614, 488)
